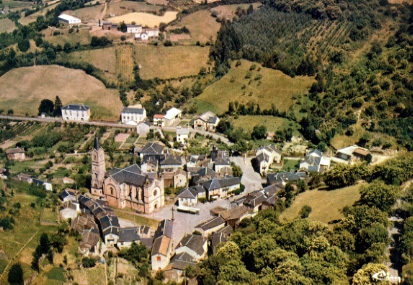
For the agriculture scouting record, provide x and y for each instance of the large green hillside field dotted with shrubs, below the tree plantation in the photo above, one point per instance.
(273, 88)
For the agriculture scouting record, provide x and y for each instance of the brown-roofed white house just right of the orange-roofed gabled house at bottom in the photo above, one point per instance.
(194, 245)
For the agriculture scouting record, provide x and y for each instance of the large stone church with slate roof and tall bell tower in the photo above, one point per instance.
(129, 187)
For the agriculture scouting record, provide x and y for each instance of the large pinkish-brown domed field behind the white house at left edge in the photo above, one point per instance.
(24, 88)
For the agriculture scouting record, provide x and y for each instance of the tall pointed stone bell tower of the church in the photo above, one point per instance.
(98, 168)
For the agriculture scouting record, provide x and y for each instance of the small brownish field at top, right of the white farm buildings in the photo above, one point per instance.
(201, 31)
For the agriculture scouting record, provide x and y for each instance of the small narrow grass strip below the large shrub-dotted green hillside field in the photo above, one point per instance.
(271, 123)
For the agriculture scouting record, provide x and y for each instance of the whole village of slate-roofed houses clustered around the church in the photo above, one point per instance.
(210, 203)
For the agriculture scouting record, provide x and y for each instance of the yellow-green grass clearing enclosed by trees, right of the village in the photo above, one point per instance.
(326, 205)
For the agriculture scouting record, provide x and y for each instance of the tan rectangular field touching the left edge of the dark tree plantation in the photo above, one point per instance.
(170, 62)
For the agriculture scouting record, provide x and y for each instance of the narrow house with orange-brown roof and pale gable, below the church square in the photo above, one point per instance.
(162, 248)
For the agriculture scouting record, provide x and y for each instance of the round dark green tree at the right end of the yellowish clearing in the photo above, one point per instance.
(379, 194)
